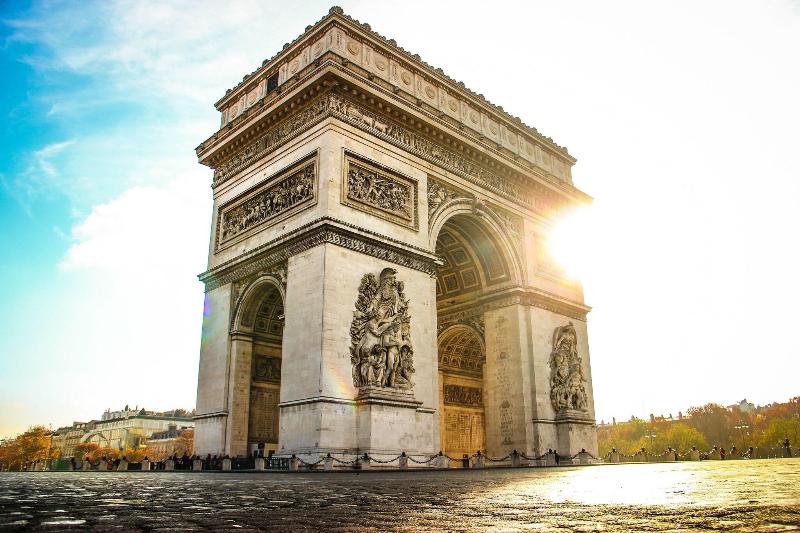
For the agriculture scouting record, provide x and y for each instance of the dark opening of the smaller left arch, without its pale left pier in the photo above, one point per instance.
(259, 326)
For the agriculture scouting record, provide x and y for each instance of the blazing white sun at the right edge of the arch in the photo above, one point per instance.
(568, 241)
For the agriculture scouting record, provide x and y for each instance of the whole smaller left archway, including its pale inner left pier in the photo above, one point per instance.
(257, 350)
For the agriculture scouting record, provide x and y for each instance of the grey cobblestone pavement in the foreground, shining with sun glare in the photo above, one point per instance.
(724, 496)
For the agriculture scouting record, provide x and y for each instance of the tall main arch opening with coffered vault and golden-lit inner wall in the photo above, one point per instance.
(476, 263)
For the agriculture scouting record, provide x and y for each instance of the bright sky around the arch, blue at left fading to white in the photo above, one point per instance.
(683, 116)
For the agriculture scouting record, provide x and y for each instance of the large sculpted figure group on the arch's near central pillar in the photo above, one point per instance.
(381, 351)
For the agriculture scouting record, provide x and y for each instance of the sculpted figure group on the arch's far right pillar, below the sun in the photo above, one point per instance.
(567, 390)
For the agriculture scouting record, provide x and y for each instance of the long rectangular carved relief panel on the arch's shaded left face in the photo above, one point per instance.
(269, 201)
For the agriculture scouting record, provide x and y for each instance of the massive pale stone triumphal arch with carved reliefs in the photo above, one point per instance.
(377, 281)
